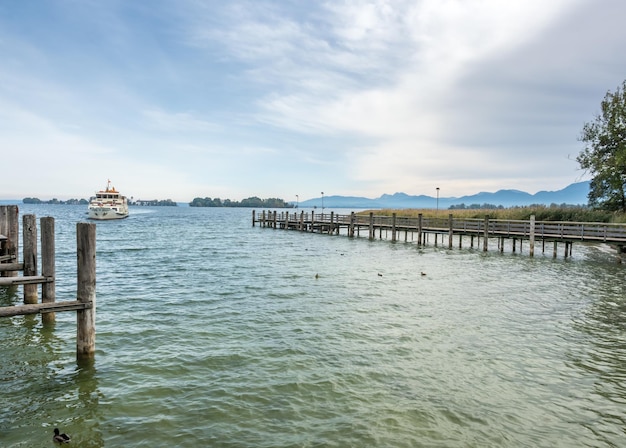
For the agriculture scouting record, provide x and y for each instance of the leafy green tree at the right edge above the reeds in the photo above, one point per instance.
(604, 155)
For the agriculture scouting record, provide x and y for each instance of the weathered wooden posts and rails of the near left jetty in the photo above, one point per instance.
(11, 266)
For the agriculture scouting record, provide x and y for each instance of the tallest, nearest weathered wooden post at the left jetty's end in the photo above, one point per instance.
(86, 290)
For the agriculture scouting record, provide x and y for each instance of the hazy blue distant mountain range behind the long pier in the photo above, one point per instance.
(574, 194)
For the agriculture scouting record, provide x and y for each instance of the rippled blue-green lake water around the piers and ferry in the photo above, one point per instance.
(215, 333)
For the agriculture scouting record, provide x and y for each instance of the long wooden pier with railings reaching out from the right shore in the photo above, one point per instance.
(479, 231)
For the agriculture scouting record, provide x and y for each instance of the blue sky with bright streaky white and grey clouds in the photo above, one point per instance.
(178, 99)
